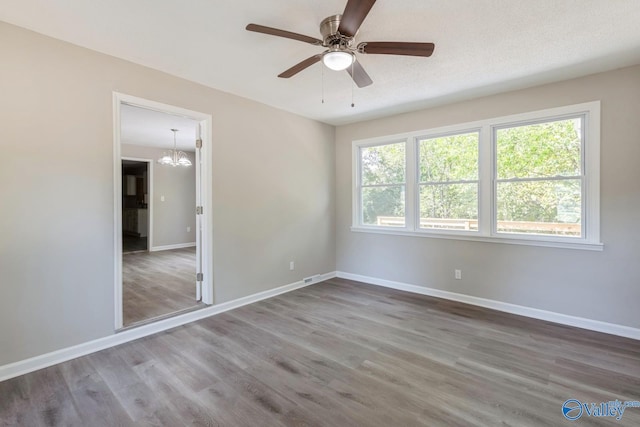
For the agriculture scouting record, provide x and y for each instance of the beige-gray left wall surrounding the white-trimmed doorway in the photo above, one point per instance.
(273, 190)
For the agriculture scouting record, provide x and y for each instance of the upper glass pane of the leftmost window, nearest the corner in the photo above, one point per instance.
(383, 164)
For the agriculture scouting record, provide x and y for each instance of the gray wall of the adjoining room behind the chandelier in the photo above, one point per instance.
(178, 186)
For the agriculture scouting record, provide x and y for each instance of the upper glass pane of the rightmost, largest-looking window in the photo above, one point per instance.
(540, 150)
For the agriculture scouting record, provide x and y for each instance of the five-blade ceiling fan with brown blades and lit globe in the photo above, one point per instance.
(338, 36)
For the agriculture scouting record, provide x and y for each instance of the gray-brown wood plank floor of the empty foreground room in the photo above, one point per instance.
(338, 353)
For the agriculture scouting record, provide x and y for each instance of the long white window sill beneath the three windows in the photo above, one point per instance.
(479, 238)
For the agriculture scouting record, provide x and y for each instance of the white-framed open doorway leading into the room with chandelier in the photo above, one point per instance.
(162, 227)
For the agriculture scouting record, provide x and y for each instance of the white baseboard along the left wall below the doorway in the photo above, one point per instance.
(45, 360)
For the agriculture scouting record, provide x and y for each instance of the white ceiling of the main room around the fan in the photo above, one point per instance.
(482, 46)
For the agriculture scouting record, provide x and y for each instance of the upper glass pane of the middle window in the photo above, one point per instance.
(449, 158)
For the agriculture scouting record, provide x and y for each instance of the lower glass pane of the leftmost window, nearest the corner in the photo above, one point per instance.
(383, 206)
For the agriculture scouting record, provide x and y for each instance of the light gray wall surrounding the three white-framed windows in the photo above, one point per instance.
(597, 285)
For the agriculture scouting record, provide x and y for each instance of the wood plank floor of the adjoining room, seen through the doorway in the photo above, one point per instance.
(157, 283)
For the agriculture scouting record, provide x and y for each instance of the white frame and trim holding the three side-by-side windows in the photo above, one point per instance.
(487, 197)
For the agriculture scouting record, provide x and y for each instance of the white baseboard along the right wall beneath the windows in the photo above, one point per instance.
(563, 319)
